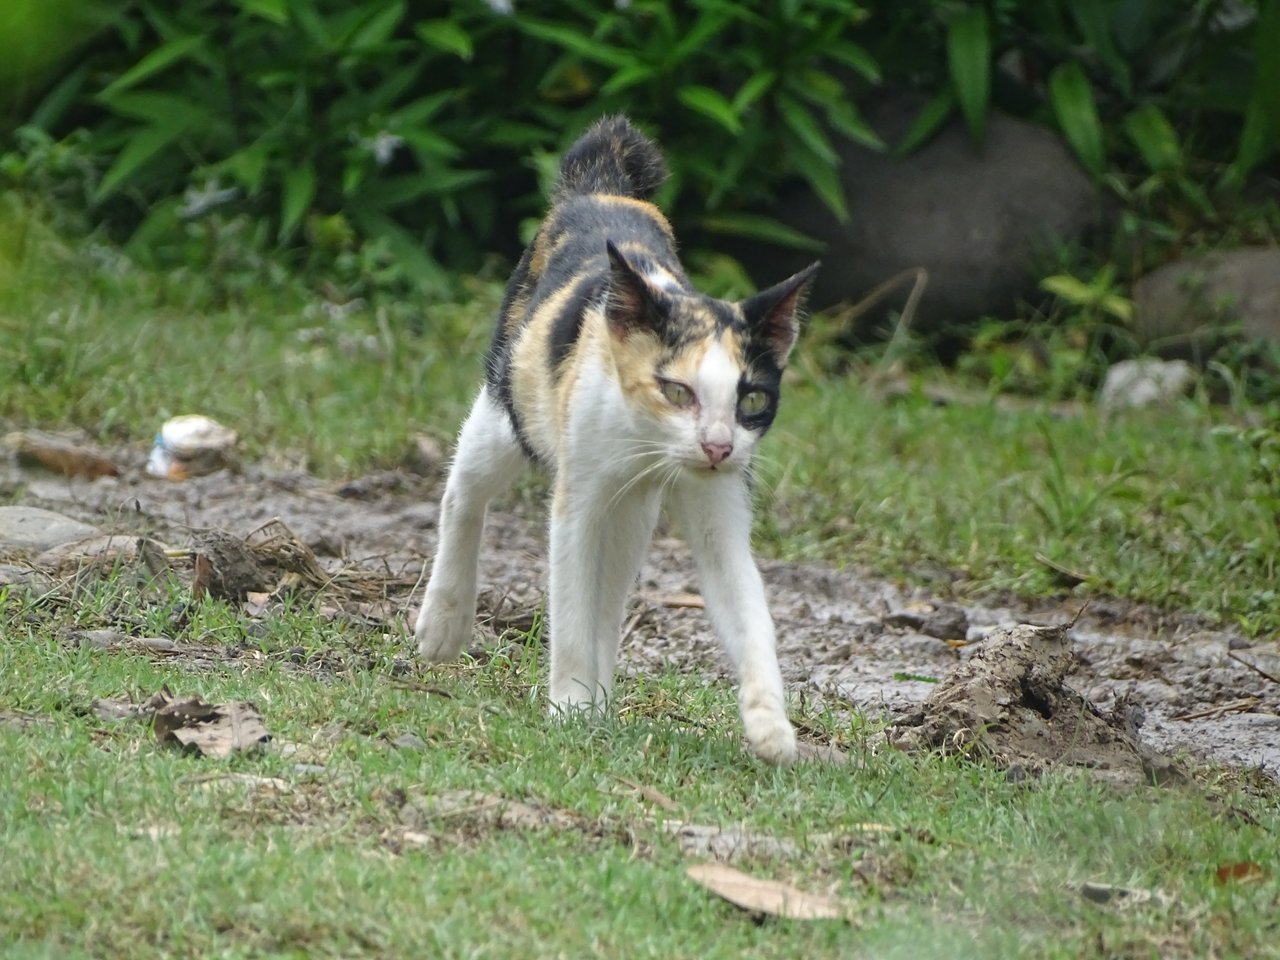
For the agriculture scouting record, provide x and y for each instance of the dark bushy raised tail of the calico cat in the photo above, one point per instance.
(612, 158)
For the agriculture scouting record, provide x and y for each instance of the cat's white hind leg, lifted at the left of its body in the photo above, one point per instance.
(487, 463)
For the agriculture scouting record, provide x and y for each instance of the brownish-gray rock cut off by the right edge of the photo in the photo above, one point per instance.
(1190, 301)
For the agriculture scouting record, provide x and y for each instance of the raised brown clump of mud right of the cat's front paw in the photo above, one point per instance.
(1011, 705)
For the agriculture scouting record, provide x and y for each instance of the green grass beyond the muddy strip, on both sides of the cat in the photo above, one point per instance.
(1159, 508)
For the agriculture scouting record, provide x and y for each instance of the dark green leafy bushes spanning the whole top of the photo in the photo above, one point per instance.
(397, 138)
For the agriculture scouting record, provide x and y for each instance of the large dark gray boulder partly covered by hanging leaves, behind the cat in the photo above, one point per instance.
(980, 218)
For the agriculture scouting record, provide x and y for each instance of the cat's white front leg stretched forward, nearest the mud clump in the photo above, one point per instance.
(715, 514)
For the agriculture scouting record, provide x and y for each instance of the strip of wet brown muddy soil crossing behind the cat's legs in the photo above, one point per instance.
(844, 638)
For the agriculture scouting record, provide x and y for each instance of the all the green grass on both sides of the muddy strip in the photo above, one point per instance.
(116, 847)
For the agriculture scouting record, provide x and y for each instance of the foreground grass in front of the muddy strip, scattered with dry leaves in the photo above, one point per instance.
(117, 847)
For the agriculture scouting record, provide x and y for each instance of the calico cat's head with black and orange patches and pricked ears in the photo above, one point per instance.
(705, 374)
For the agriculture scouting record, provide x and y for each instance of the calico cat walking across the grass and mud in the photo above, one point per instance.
(634, 390)
